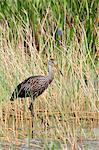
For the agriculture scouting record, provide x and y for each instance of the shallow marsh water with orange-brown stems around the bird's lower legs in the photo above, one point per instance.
(16, 127)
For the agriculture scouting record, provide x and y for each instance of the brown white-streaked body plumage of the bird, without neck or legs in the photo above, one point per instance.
(31, 87)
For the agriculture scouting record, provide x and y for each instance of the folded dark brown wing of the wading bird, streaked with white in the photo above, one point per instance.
(29, 87)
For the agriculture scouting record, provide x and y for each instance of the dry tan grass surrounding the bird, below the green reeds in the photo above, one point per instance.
(67, 105)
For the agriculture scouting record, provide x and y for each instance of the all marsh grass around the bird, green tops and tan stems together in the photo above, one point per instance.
(28, 38)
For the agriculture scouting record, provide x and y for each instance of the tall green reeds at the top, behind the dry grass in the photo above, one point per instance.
(29, 11)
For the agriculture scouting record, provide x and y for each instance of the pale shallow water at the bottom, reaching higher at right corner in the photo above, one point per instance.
(40, 144)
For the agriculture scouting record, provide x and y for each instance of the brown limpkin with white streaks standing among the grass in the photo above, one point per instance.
(34, 85)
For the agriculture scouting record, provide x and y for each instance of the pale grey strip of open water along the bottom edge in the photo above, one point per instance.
(37, 144)
